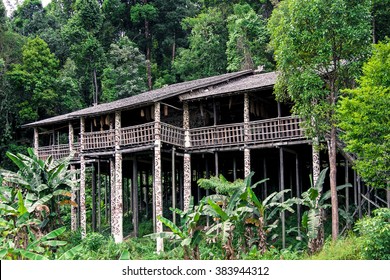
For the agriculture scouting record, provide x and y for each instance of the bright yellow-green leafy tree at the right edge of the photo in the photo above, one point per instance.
(364, 118)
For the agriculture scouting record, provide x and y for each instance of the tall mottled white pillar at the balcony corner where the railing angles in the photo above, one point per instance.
(157, 174)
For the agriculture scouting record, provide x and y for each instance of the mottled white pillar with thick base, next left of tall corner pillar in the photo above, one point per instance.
(117, 218)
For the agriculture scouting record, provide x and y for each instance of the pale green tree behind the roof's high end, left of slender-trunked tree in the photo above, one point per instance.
(246, 47)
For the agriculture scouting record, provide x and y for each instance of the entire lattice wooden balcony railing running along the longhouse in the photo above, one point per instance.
(239, 134)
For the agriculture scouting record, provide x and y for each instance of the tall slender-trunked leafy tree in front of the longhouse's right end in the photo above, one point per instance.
(319, 46)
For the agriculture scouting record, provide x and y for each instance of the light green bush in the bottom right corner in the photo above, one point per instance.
(375, 235)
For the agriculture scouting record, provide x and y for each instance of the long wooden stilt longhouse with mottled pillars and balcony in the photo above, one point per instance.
(145, 152)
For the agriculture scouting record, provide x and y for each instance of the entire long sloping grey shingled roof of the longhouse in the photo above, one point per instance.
(242, 81)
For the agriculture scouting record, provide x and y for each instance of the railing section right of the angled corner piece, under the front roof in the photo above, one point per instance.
(220, 135)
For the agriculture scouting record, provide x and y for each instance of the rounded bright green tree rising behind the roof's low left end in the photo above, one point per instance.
(34, 79)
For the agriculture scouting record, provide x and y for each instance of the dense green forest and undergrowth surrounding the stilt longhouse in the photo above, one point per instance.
(333, 59)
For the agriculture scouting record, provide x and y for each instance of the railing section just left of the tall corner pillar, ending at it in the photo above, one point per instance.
(137, 135)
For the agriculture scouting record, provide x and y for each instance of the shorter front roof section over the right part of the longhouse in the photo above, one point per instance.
(250, 83)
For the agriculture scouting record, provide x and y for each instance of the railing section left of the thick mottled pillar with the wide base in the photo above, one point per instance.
(99, 140)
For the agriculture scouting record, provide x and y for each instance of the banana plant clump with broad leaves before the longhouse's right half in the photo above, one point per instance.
(241, 212)
